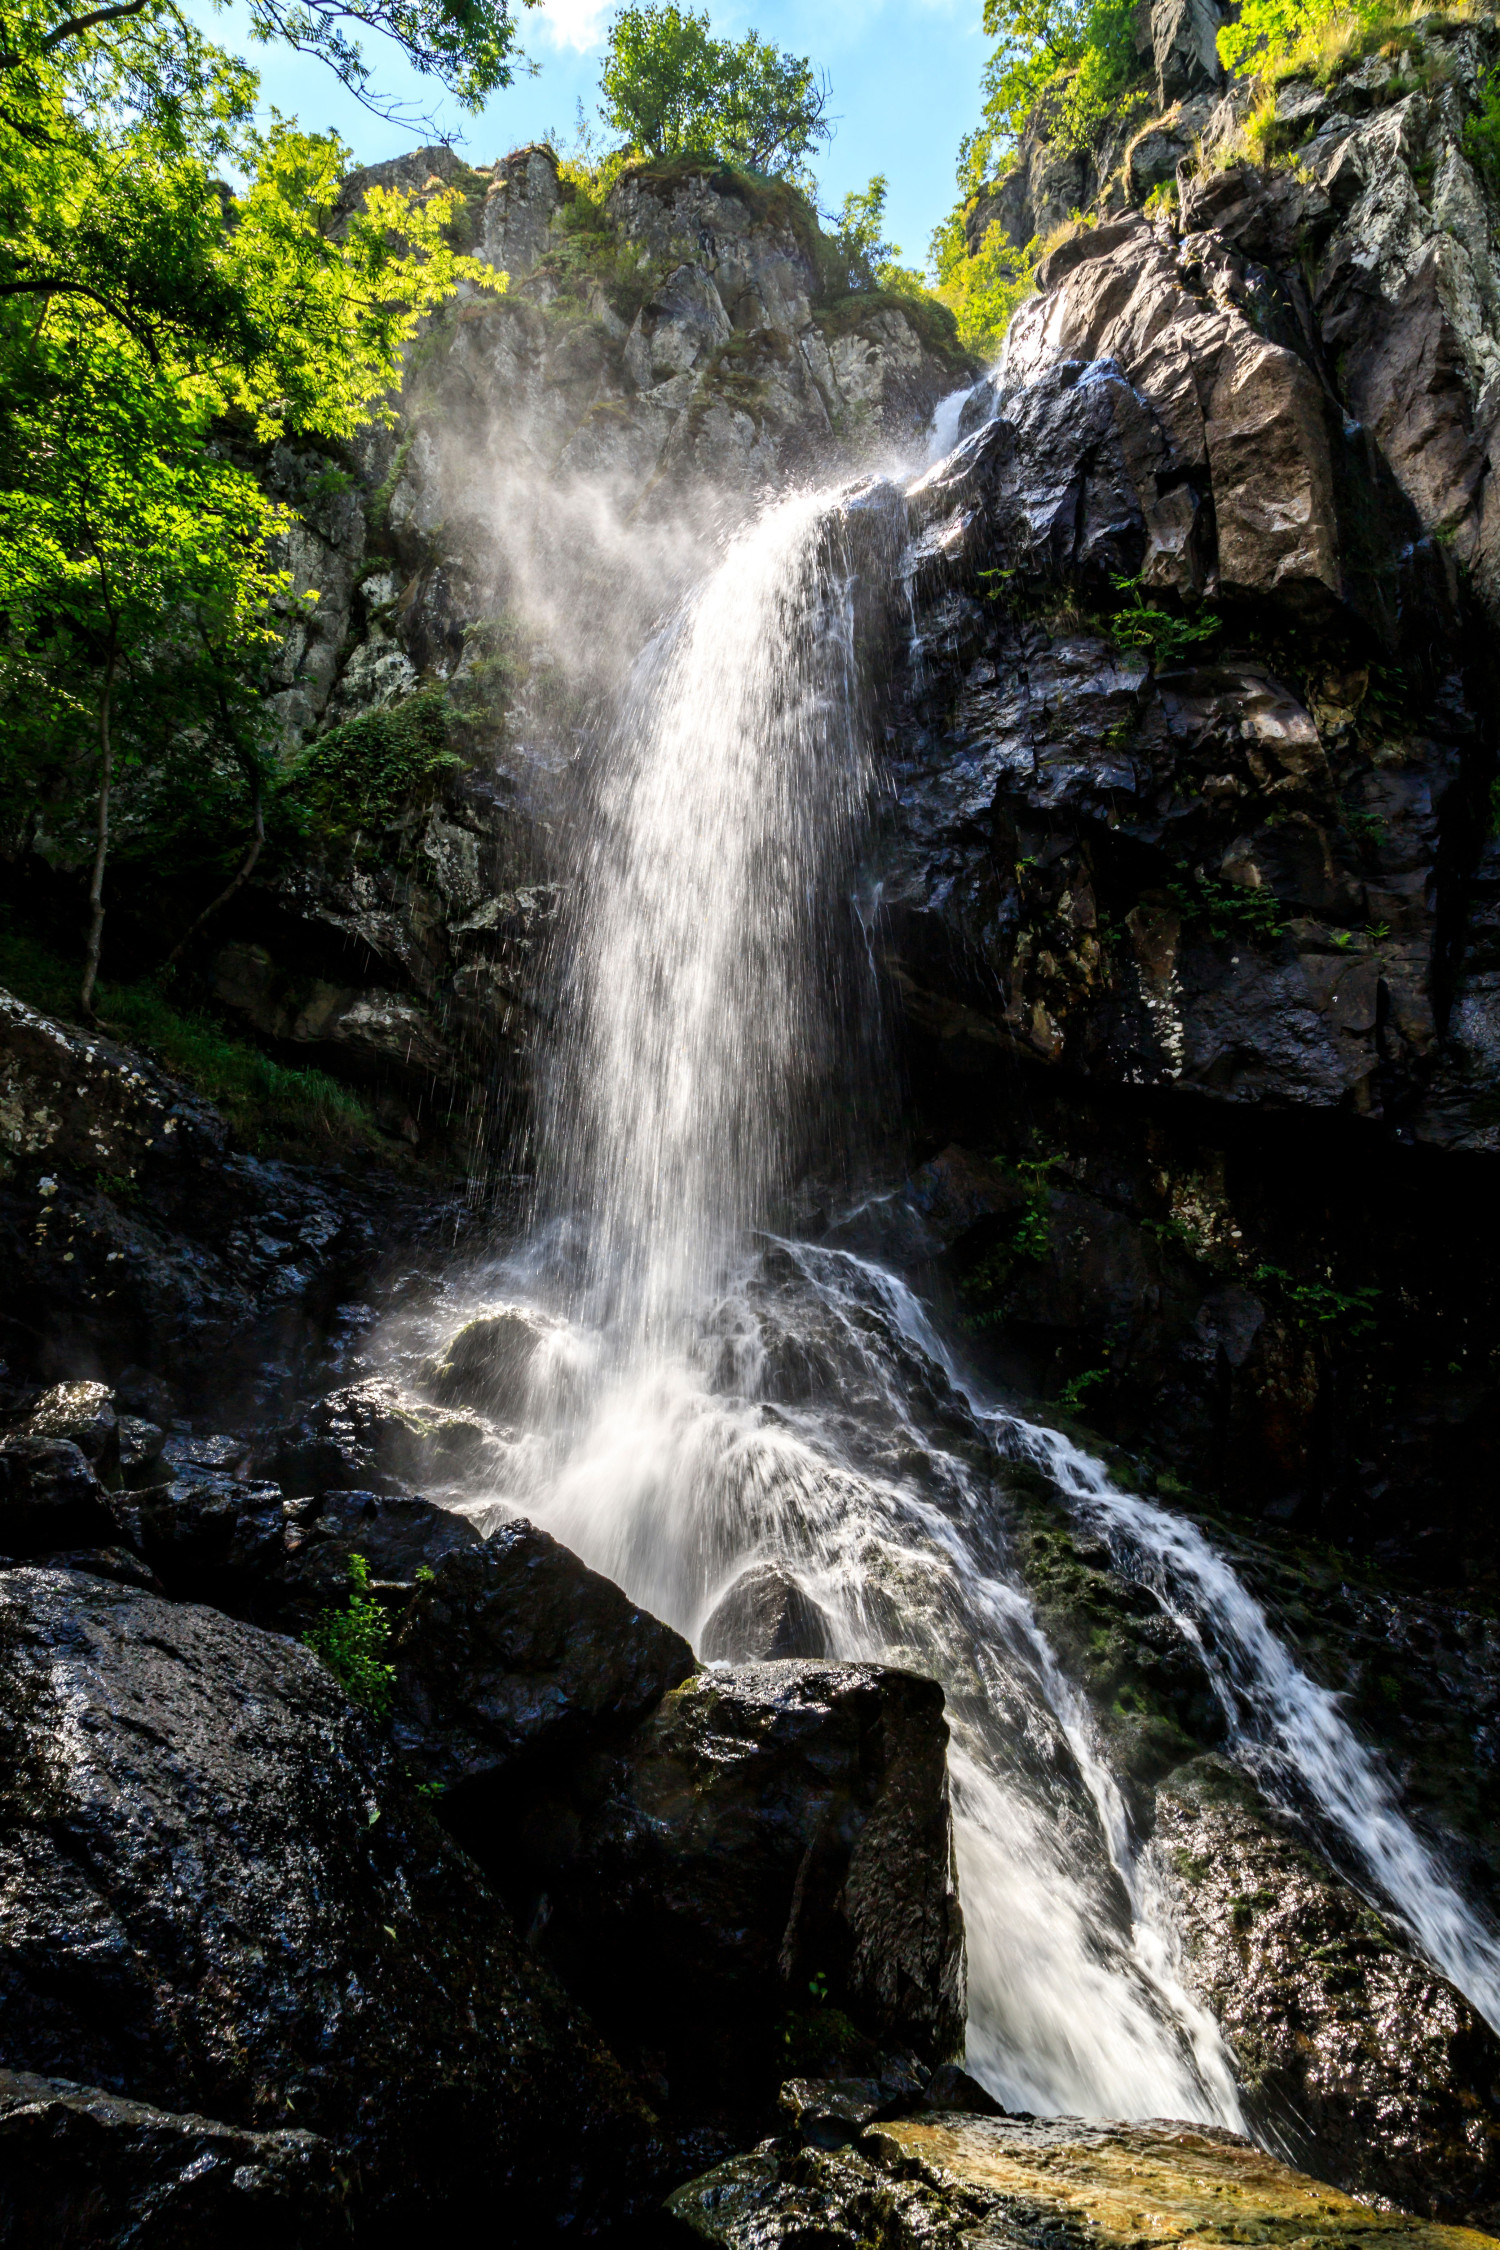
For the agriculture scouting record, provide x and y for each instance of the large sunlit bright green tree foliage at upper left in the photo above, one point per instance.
(156, 334)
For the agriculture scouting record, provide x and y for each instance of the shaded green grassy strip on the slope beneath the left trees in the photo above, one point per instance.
(266, 1104)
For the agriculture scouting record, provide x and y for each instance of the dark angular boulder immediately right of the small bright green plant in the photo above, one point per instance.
(512, 1655)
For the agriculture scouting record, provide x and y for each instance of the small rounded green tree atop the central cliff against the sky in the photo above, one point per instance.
(671, 89)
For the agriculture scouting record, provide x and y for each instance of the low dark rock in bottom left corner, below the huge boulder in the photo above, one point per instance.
(84, 2168)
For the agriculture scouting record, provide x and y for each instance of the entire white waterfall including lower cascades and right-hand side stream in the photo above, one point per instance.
(719, 1394)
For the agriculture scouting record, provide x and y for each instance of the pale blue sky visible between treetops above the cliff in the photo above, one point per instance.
(905, 89)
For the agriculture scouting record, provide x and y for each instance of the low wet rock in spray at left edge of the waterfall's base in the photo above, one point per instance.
(372, 1437)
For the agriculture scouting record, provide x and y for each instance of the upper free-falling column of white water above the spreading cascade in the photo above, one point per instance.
(705, 1002)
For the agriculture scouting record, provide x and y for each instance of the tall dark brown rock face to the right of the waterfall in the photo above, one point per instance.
(1189, 879)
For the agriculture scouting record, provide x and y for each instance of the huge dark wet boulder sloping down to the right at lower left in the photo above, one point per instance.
(224, 1900)
